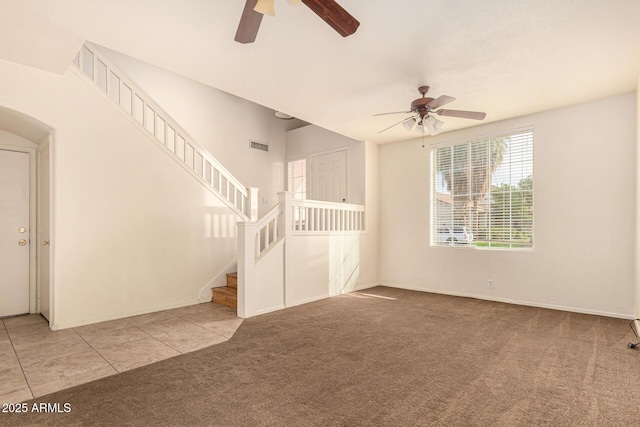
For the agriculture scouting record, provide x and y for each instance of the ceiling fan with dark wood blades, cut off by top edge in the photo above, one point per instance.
(330, 11)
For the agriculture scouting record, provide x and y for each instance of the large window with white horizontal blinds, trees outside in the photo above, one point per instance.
(482, 192)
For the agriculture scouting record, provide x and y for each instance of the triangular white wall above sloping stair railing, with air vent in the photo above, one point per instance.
(221, 123)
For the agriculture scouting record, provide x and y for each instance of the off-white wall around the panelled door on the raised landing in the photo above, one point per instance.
(308, 140)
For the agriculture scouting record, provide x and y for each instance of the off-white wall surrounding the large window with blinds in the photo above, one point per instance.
(584, 214)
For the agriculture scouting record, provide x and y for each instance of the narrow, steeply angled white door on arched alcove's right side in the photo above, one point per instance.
(43, 233)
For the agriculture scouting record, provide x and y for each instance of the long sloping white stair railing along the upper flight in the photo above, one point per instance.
(157, 123)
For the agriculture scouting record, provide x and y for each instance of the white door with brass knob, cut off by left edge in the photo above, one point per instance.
(14, 233)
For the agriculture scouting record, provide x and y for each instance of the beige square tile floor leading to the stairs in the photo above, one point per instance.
(34, 360)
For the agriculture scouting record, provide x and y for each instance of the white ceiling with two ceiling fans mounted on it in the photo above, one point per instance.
(505, 57)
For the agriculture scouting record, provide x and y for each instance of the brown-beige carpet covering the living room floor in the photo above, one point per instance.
(390, 358)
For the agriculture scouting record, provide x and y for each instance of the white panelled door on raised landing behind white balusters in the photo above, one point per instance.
(329, 176)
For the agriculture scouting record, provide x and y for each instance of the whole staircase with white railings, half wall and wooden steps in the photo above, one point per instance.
(265, 284)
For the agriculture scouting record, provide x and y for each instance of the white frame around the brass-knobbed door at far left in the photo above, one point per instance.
(31, 151)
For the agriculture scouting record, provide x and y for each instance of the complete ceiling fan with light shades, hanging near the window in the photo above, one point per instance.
(423, 110)
